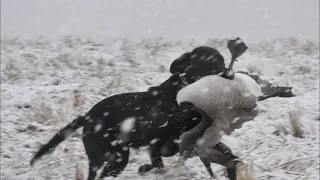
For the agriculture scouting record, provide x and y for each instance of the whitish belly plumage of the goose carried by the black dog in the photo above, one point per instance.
(217, 96)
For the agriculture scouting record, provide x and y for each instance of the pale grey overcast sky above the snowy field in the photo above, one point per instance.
(249, 19)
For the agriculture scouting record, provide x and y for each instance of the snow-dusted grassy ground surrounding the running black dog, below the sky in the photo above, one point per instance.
(39, 79)
